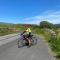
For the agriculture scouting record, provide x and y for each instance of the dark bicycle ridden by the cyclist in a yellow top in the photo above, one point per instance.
(23, 42)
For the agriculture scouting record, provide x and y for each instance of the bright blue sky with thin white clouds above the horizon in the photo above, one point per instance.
(30, 11)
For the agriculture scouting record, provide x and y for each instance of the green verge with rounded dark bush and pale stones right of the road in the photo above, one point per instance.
(51, 33)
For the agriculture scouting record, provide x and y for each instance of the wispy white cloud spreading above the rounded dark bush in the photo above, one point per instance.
(50, 15)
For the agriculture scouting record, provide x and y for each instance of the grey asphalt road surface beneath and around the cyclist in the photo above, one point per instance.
(10, 51)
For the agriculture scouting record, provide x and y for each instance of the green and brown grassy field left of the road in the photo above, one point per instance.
(10, 28)
